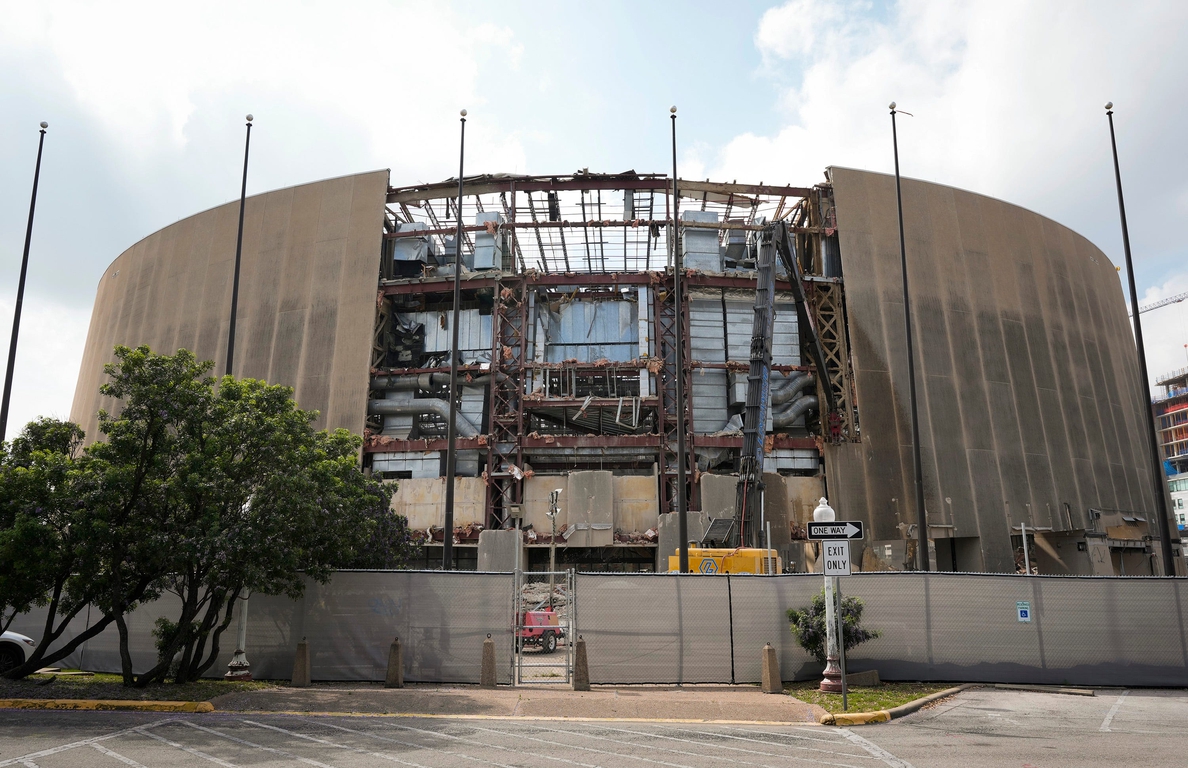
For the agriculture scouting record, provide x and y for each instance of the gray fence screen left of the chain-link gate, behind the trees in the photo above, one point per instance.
(441, 620)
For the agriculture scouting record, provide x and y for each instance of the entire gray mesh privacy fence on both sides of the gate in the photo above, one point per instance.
(669, 628)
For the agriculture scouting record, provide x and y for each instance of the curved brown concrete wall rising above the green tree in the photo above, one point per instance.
(307, 295)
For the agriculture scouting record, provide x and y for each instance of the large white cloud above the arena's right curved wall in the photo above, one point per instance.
(1008, 102)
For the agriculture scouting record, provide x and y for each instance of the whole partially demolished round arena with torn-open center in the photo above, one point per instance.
(791, 307)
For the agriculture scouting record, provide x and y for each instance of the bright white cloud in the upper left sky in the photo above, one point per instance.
(369, 71)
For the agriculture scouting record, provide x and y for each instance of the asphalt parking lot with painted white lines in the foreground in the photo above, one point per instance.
(976, 728)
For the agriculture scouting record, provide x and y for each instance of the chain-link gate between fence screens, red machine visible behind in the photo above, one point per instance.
(546, 621)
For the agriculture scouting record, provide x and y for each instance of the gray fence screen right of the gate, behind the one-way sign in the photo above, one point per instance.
(666, 628)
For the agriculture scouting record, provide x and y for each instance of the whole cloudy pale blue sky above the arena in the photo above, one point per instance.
(147, 103)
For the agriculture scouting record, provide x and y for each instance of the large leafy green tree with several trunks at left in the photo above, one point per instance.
(205, 489)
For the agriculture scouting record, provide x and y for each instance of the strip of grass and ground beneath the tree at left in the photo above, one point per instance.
(111, 687)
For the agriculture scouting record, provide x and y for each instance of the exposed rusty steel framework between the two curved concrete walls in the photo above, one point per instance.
(591, 236)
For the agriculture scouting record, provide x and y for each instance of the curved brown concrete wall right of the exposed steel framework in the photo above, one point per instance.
(1027, 373)
